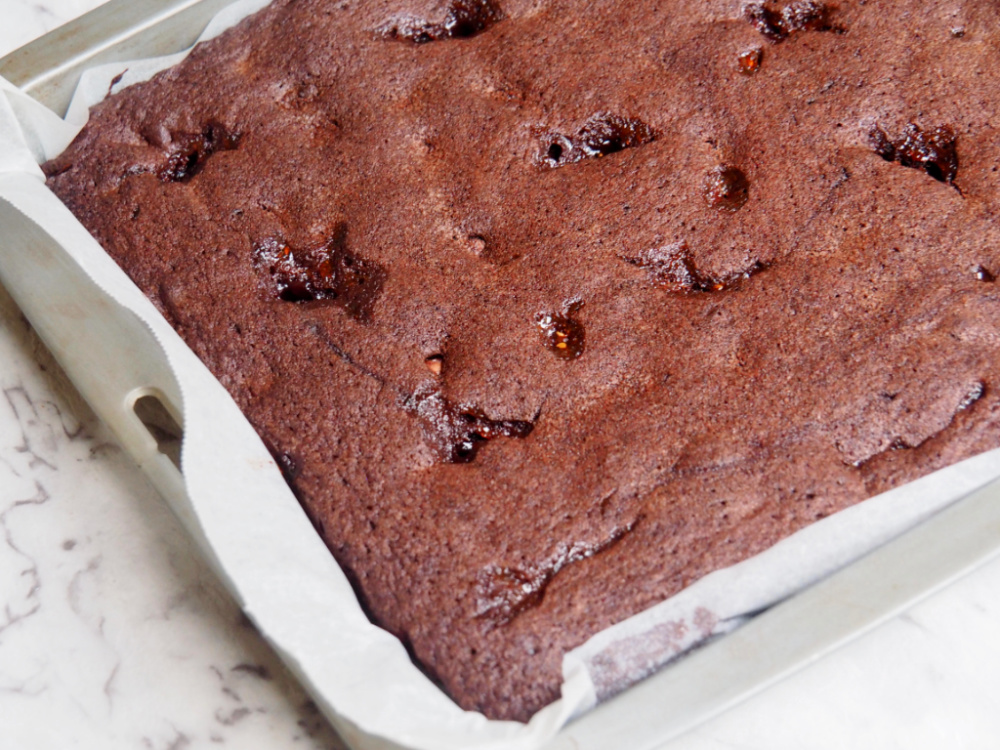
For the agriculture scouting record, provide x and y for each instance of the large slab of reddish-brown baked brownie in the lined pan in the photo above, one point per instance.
(548, 308)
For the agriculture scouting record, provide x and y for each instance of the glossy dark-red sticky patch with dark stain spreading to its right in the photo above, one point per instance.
(328, 272)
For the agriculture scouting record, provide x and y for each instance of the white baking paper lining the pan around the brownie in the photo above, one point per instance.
(235, 501)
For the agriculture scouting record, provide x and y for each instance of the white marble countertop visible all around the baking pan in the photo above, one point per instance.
(113, 634)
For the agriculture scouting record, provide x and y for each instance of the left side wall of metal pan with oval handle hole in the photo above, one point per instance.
(112, 357)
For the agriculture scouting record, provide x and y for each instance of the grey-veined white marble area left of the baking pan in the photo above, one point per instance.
(113, 633)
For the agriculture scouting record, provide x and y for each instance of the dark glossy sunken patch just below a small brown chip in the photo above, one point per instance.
(456, 433)
